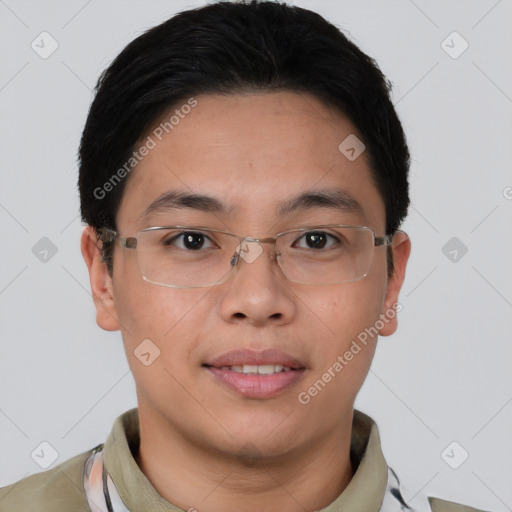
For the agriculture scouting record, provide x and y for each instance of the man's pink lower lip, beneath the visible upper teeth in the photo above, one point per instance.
(256, 385)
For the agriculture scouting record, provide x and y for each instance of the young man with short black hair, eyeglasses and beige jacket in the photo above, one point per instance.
(243, 176)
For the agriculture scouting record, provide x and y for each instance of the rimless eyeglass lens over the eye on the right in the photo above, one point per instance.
(326, 255)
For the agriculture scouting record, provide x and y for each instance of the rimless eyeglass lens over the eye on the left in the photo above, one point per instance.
(183, 257)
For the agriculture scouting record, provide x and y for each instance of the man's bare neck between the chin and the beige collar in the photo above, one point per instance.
(194, 477)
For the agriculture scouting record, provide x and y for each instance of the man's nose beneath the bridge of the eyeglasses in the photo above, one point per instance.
(257, 293)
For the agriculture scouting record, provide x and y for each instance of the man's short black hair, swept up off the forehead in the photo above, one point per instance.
(229, 48)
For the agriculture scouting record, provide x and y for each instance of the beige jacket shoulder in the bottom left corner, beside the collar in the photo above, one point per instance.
(59, 489)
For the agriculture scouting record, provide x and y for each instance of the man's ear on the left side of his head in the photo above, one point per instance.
(101, 282)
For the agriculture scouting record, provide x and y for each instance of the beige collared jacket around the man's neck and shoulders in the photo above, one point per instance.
(61, 489)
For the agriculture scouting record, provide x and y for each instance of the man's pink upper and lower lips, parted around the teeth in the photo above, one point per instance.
(255, 385)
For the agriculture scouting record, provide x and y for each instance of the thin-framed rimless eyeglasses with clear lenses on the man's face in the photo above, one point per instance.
(196, 257)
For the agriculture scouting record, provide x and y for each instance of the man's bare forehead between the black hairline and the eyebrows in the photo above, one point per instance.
(255, 153)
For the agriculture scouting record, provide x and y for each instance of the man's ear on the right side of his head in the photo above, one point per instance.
(401, 248)
